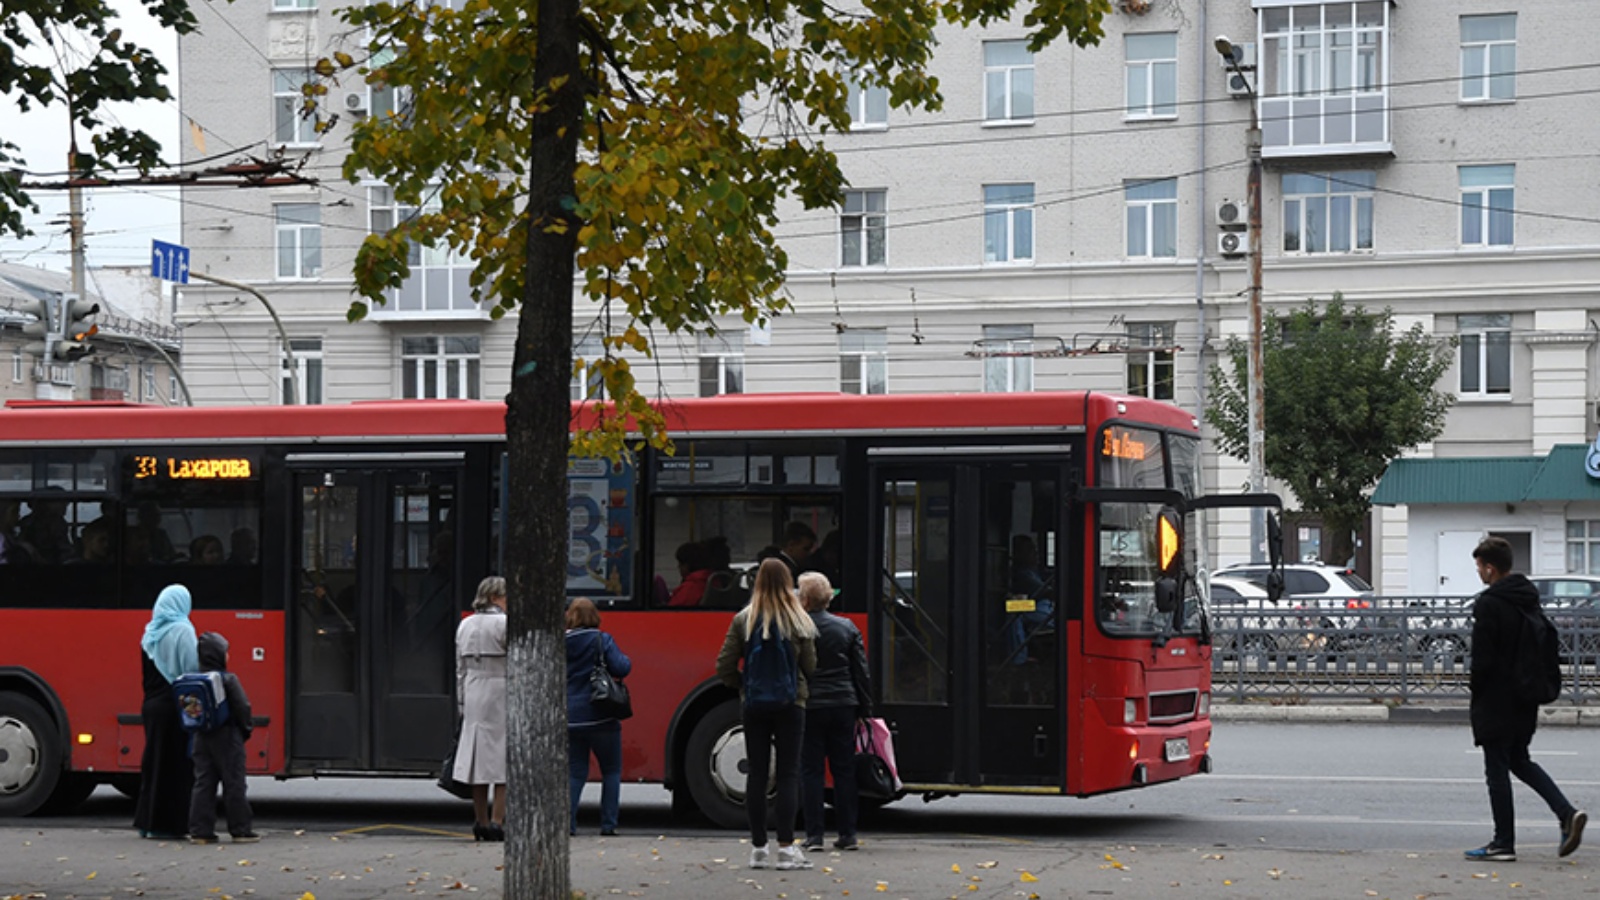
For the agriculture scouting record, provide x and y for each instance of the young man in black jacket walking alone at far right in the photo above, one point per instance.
(1503, 723)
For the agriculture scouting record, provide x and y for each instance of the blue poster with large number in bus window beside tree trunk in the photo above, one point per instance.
(601, 518)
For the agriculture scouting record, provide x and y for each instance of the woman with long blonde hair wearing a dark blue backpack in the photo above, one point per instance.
(775, 641)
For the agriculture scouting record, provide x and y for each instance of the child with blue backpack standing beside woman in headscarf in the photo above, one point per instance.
(218, 729)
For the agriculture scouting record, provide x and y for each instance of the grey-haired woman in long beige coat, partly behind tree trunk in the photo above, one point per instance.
(481, 696)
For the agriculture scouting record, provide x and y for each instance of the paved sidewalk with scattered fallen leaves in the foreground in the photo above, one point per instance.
(90, 864)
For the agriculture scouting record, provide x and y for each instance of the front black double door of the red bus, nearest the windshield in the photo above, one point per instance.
(966, 630)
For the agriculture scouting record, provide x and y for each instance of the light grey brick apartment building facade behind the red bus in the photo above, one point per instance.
(1068, 220)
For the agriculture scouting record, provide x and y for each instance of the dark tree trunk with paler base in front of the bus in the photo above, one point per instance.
(537, 435)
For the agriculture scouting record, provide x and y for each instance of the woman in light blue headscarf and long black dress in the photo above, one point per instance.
(166, 774)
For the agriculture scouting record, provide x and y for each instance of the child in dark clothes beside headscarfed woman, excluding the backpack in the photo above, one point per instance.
(220, 757)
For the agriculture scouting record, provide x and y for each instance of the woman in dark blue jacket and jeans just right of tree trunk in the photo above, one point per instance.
(588, 731)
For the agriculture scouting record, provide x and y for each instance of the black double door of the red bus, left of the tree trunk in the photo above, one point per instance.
(377, 601)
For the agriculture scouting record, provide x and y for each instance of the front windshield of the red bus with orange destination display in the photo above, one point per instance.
(1129, 569)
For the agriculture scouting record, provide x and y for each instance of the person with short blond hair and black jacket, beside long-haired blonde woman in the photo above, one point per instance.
(839, 696)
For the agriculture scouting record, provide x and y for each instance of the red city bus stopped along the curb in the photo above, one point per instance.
(1015, 561)
